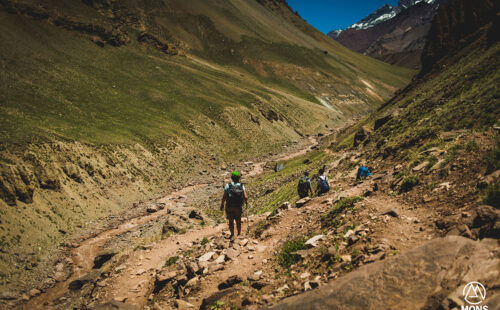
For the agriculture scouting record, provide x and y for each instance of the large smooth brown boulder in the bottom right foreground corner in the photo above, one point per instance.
(431, 276)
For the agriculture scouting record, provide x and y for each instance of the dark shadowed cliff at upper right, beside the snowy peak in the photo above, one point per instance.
(456, 24)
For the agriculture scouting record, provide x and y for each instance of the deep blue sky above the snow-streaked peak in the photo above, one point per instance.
(328, 15)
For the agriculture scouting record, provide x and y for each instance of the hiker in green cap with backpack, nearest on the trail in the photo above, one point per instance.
(234, 197)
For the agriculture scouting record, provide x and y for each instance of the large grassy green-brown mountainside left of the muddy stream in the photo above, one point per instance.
(105, 103)
